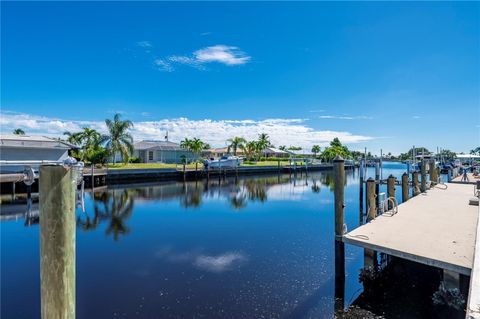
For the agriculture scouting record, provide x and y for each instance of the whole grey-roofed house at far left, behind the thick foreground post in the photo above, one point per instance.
(30, 149)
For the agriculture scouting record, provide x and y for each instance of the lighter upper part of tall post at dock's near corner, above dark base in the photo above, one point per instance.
(339, 175)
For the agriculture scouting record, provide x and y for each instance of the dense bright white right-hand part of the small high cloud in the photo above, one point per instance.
(229, 55)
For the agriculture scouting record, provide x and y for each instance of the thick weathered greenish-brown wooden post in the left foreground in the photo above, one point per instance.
(57, 242)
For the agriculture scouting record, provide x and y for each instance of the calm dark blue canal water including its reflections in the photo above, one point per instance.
(252, 247)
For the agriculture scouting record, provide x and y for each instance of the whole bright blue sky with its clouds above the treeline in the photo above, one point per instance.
(376, 74)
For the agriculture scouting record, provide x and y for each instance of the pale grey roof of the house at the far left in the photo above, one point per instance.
(33, 141)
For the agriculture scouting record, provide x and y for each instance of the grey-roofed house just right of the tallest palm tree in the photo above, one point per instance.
(161, 152)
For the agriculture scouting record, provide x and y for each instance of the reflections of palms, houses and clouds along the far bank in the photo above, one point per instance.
(115, 205)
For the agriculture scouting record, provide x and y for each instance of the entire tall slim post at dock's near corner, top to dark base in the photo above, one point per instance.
(339, 193)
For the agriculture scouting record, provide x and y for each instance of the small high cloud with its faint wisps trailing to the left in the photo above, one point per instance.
(222, 54)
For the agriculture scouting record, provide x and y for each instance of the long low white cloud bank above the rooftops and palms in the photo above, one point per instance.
(215, 132)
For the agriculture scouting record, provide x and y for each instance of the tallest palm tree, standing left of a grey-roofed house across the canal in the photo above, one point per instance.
(119, 139)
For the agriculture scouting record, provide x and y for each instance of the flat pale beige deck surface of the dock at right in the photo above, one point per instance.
(437, 228)
